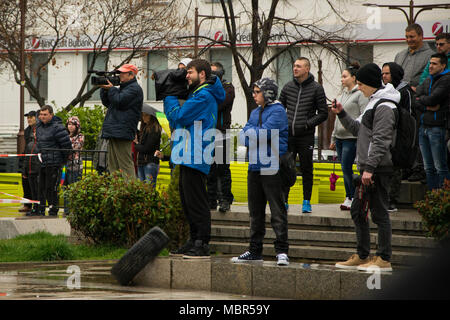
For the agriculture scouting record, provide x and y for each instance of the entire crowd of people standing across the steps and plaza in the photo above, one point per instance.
(365, 131)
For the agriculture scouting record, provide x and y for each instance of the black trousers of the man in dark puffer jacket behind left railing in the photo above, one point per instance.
(49, 178)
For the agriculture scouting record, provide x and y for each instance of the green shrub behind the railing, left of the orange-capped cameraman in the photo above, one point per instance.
(91, 119)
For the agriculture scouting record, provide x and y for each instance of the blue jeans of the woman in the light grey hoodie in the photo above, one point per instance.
(346, 150)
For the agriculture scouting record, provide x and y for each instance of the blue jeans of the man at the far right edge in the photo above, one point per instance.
(434, 153)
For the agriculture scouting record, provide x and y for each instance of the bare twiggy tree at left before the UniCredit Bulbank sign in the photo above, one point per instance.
(134, 26)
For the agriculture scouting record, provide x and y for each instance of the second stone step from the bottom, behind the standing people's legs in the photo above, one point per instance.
(320, 238)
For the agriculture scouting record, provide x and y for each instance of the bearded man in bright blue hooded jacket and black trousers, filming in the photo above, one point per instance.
(193, 143)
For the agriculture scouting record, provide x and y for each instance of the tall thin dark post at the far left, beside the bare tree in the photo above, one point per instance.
(21, 134)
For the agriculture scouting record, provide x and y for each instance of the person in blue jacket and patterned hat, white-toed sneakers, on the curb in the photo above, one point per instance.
(266, 137)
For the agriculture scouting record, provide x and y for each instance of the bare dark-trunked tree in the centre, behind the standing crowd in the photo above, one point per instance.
(267, 26)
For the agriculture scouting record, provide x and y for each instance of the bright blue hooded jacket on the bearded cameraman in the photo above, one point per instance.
(190, 123)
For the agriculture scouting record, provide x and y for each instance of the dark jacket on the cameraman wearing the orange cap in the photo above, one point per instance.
(124, 110)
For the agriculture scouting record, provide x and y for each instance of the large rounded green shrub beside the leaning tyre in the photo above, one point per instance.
(111, 209)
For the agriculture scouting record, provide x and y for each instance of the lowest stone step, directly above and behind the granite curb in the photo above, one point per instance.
(319, 254)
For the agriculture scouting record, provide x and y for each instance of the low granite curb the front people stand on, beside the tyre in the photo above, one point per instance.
(297, 281)
